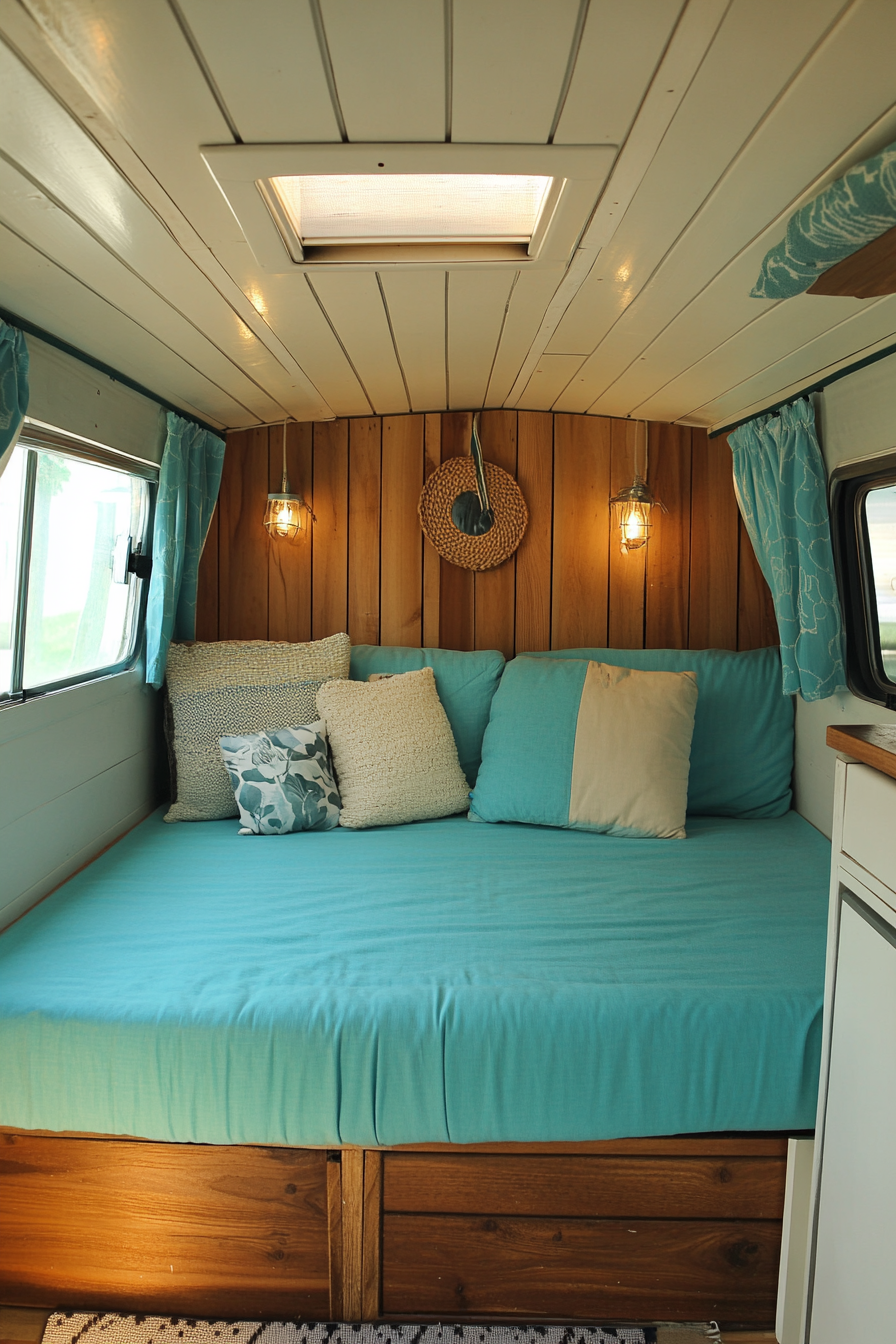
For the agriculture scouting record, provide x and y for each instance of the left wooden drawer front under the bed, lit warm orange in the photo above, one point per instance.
(174, 1228)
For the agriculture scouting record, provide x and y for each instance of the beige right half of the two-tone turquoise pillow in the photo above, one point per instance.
(633, 752)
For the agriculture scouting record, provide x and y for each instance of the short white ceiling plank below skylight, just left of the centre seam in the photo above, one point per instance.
(417, 306)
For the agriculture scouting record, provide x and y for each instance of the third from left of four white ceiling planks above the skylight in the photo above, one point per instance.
(510, 64)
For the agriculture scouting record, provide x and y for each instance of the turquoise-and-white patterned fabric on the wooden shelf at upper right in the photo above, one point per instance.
(854, 212)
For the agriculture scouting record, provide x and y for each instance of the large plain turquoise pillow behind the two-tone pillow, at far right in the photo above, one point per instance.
(742, 756)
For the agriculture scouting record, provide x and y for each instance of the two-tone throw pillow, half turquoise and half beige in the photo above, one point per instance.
(589, 747)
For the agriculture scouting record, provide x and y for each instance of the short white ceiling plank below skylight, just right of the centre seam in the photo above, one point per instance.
(478, 303)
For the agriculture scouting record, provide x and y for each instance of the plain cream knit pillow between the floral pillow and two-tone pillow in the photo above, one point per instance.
(393, 749)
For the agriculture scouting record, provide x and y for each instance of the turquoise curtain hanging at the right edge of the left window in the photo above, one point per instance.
(189, 485)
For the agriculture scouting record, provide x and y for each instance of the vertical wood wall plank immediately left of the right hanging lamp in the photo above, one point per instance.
(581, 532)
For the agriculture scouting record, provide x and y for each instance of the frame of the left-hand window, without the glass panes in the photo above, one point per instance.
(37, 437)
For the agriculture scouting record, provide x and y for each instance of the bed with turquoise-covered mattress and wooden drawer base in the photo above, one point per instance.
(424, 1072)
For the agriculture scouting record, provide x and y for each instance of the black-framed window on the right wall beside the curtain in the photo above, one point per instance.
(864, 536)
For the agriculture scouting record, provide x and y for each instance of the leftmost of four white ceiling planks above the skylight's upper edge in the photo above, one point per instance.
(265, 60)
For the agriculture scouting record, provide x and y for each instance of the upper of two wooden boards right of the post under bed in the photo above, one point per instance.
(585, 1187)
